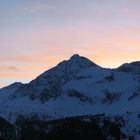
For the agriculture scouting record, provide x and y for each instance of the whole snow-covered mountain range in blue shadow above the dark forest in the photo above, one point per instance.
(77, 87)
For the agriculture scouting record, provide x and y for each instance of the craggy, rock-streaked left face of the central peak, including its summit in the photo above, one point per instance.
(51, 81)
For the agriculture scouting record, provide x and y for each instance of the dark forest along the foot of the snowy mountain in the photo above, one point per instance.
(98, 127)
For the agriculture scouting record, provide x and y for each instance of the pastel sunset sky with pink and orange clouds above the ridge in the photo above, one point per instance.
(35, 35)
